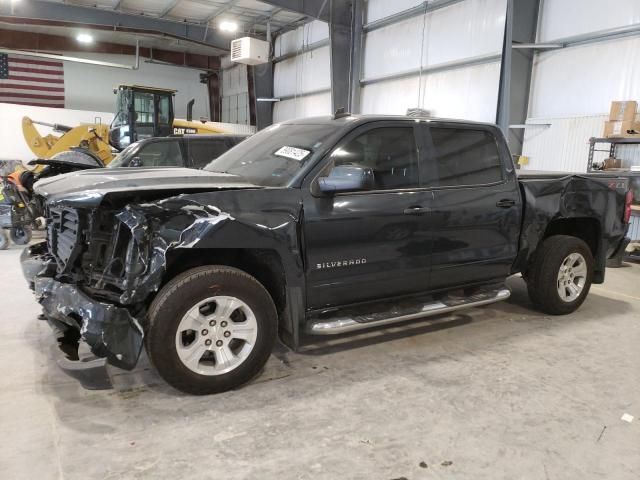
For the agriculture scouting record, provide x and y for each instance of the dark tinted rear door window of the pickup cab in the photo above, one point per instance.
(465, 157)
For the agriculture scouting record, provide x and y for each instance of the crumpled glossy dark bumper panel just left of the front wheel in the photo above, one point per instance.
(109, 331)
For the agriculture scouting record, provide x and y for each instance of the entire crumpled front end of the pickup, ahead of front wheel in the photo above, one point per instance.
(94, 274)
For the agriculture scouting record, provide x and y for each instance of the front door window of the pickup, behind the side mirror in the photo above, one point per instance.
(390, 152)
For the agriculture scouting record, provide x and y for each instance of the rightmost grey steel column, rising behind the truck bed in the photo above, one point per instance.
(517, 65)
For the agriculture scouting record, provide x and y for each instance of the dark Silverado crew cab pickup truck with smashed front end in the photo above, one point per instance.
(311, 227)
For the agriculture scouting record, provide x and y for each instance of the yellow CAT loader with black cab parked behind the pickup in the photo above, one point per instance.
(141, 112)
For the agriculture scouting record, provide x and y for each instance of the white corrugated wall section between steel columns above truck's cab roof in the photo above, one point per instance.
(458, 32)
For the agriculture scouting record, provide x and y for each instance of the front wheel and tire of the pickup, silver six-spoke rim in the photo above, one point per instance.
(207, 293)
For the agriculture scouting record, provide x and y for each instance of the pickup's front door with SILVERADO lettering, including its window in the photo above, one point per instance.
(375, 243)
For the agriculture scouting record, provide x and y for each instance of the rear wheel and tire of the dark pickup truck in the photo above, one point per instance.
(557, 292)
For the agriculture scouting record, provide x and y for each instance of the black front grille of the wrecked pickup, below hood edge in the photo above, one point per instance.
(63, 236)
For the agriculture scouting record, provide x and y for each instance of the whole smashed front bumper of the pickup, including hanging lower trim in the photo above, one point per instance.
(110, 332)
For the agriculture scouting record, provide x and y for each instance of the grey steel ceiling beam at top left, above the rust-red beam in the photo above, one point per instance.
(67, 14)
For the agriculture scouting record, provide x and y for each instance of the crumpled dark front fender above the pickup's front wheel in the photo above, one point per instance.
(192, 221)
